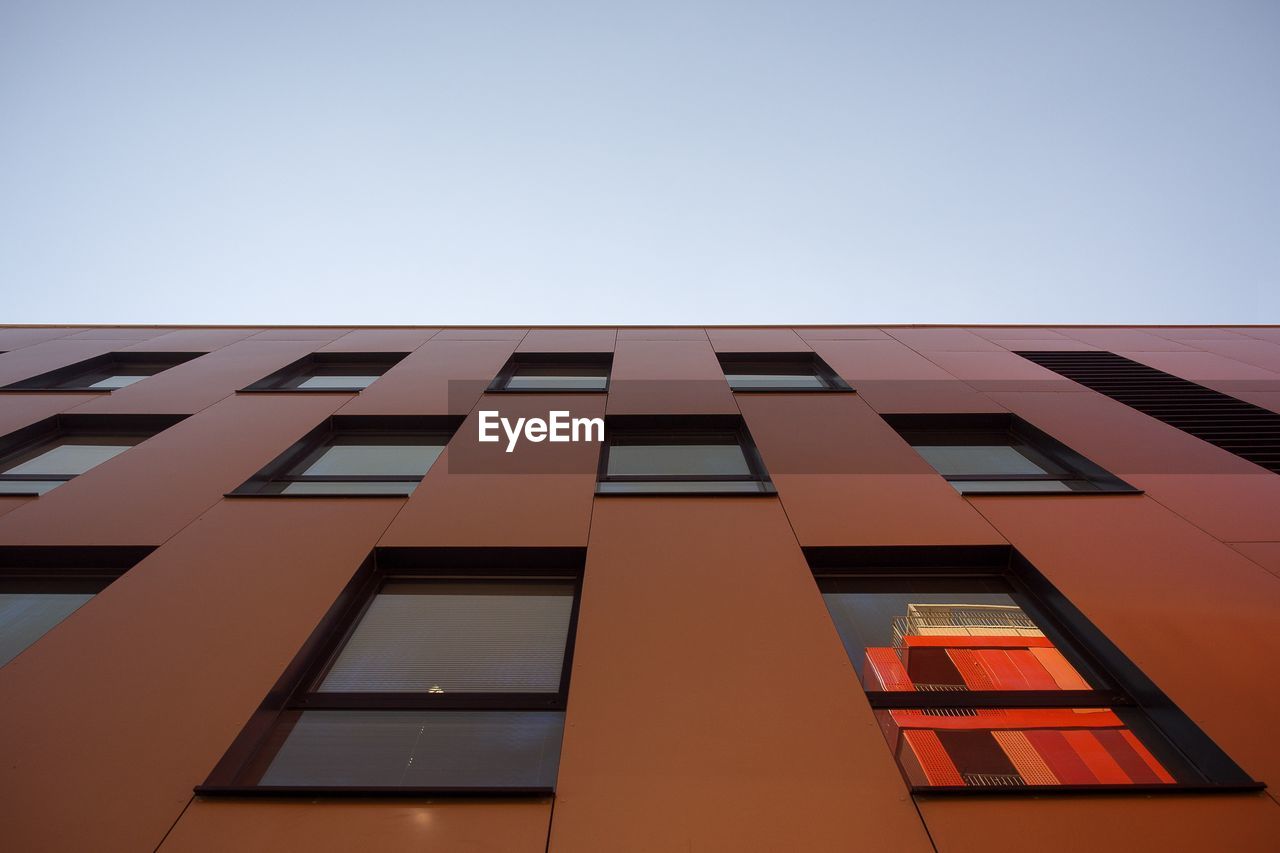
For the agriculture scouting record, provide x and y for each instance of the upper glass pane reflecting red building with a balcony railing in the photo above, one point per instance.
(947, 636)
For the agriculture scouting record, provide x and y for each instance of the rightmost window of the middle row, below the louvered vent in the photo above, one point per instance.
(1002, 454)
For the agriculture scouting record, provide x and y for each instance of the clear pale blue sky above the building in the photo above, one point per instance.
(595, 162)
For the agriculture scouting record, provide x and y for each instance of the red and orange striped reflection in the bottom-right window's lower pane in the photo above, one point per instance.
(1017, 747)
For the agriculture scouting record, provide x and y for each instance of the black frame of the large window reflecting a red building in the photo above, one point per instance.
(1124, 686)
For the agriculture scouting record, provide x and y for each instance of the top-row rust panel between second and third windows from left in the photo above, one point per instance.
(442, 377)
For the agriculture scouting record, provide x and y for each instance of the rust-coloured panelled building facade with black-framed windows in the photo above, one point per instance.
(843, 589)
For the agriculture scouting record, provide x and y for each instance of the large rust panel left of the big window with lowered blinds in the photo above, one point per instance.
(158, 674)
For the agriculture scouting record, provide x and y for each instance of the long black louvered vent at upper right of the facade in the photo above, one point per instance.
(1241, 428)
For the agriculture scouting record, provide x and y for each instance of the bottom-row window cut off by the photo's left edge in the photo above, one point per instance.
(42, 587)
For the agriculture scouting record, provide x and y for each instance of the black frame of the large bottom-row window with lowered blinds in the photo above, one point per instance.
(250, 755)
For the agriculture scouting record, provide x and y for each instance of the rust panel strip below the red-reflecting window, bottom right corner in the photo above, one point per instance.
(1242, 824)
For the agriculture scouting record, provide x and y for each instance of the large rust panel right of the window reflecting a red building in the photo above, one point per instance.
(1181, 605)
